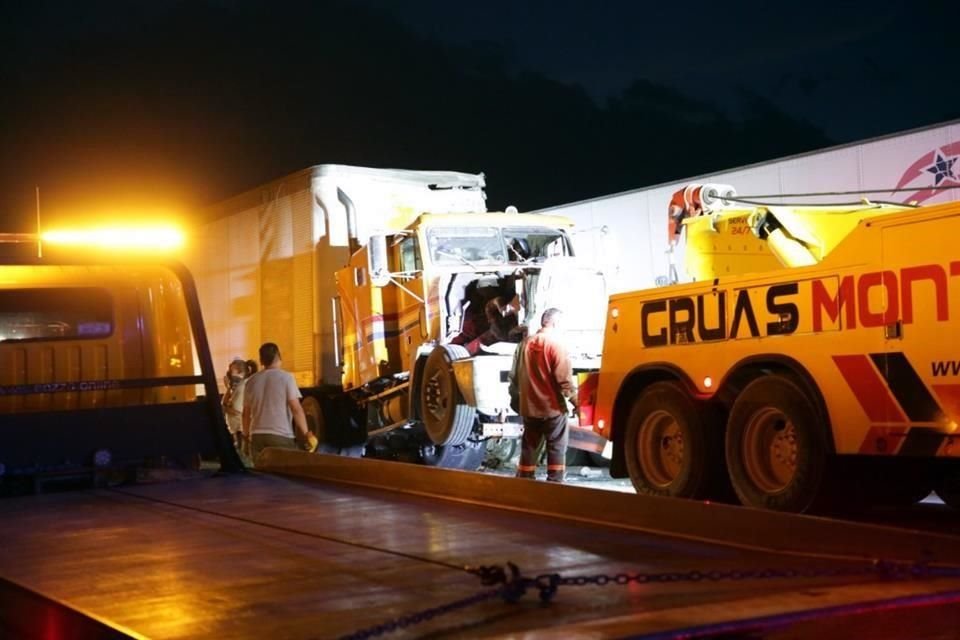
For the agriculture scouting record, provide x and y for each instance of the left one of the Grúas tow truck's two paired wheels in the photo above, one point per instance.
(670, 448)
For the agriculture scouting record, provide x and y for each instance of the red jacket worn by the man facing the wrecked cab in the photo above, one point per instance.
(545, 377)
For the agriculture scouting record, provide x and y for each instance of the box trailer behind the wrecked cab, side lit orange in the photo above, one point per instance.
(264, 260)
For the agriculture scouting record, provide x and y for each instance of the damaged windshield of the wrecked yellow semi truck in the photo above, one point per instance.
(453, 245)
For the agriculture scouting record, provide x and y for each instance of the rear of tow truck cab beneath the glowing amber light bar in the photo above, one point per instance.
(101, 361)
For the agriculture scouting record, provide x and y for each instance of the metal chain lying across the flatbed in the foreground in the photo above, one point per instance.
(514, 585)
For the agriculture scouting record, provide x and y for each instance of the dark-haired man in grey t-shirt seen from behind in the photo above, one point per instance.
(272, 414)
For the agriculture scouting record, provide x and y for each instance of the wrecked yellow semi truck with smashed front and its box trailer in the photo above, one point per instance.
(397, 300)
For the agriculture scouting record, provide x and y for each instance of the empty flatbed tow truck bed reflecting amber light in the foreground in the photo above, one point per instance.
(325, 551)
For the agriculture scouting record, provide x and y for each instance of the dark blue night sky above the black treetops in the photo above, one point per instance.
(812, 58)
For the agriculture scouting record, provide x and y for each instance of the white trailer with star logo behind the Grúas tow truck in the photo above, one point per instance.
(626, 233)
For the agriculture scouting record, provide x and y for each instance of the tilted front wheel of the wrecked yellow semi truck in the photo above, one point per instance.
(447, 418)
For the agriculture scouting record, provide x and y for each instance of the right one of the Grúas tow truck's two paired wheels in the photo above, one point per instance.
(776, 455)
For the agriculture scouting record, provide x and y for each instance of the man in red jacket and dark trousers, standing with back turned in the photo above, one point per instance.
(544, 378)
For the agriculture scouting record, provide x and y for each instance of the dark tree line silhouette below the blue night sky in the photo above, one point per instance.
(206, 99)
